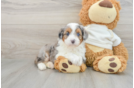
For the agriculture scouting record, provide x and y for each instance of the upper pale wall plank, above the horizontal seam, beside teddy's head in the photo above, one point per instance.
(52, 11)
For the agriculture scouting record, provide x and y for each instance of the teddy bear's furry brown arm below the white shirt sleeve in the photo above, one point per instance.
(121, 50)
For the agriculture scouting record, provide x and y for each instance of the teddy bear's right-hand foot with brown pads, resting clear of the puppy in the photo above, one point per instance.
(110, 64)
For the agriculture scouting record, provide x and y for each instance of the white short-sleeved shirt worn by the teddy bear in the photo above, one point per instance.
(101, 36)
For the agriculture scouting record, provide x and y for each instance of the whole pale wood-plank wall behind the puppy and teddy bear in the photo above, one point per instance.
(28, 25)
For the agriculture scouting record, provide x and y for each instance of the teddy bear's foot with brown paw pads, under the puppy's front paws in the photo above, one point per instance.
(63, 65)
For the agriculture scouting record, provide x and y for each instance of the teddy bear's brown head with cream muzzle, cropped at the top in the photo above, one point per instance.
(104, 12)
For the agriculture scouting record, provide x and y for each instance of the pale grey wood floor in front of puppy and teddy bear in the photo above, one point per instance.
(26, 75)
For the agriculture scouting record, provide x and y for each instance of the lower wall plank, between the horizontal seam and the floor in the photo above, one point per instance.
(24, 41)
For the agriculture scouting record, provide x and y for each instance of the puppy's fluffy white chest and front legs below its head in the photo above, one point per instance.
(74, 54)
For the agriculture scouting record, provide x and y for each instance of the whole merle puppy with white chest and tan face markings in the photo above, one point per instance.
(71, 45)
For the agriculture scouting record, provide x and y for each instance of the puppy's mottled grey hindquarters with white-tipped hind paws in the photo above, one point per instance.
(46, 57)
